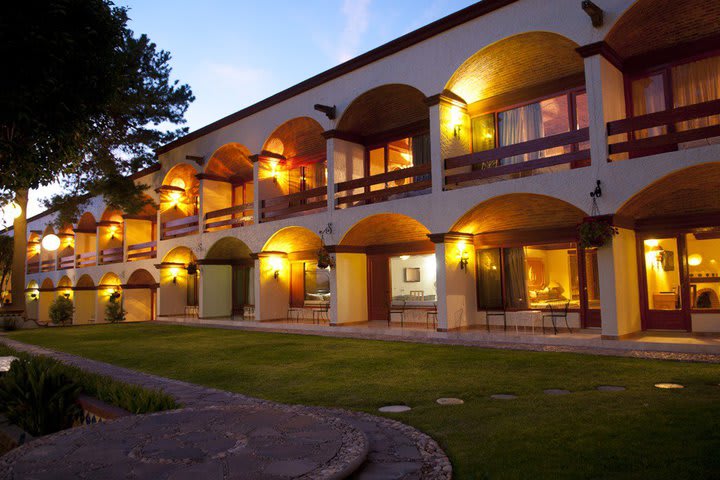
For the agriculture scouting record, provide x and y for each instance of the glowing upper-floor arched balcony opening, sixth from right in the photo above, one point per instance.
(179, 196)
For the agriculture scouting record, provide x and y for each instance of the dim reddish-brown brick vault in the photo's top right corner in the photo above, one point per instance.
(656, 24)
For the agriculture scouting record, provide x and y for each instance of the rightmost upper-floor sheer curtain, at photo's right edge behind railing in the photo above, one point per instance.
(697, 82)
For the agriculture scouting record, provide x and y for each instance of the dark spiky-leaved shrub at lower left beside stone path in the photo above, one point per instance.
(37, 396)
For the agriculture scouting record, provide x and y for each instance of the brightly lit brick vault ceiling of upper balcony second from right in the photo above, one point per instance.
(516, 63)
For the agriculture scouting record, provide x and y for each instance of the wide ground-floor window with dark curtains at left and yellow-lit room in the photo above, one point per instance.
(533, 277)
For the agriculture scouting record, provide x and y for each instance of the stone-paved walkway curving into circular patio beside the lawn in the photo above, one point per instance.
(206, 438)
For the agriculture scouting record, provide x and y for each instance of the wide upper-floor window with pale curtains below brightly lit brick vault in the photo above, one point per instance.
(530, 121)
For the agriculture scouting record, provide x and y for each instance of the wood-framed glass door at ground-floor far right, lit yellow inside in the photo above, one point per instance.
(664, 287)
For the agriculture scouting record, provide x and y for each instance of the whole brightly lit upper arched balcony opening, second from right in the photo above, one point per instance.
(519, 106)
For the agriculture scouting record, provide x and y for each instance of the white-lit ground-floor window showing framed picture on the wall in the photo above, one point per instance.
(413, 278)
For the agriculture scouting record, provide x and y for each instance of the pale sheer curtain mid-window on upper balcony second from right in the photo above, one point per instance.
(520, 125)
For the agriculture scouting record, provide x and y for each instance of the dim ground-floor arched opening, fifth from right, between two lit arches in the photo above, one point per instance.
(227, 273)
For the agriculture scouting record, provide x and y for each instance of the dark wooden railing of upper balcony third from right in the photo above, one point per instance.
(405, 180)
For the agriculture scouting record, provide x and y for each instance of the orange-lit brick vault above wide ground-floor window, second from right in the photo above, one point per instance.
(519, 211)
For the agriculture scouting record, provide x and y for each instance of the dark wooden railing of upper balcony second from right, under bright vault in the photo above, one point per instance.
(487, 164)
